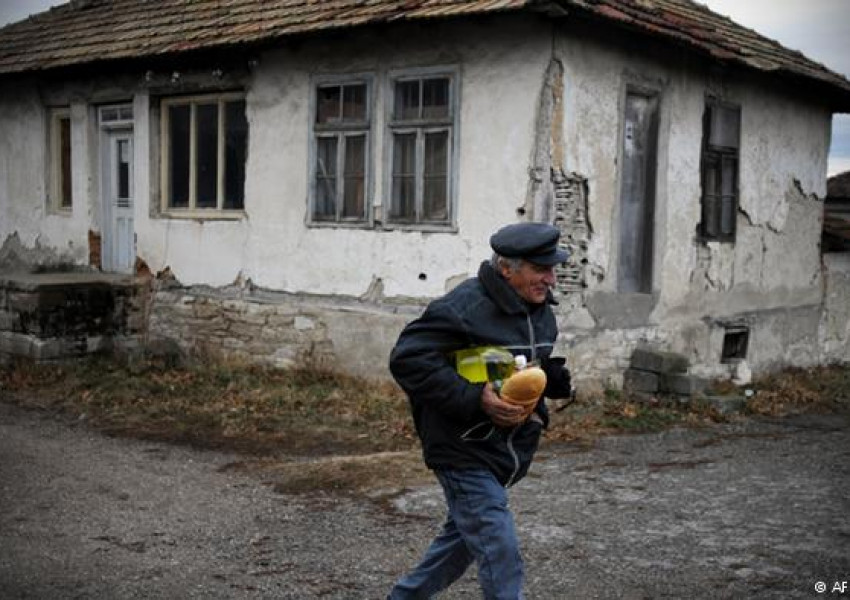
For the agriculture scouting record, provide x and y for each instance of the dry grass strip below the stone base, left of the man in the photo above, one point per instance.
(222, 405)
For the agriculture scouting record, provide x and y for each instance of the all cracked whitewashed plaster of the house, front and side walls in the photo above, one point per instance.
(530, 104)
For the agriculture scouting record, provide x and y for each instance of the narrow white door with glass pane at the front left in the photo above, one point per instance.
(119, 239)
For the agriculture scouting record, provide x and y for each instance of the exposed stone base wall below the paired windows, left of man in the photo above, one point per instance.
(278, 329)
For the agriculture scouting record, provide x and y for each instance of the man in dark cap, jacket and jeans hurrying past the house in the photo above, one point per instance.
(477, 443)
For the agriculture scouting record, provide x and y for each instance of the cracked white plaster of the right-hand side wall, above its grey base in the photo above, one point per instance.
(775, 260)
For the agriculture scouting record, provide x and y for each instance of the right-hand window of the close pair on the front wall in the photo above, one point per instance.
(421, 133)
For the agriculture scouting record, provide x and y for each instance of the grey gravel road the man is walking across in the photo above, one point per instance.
(756, 509)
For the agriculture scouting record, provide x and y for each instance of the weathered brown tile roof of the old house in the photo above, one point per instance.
(84, 32)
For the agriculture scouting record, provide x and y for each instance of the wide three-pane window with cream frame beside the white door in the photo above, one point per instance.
(204, 150)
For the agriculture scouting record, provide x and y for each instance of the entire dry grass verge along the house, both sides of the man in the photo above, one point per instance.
(312, 429)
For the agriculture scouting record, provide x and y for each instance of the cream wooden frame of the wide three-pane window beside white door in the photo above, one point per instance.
(192, 210)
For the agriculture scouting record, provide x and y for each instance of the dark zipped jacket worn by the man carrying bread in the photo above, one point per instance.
(455, 432)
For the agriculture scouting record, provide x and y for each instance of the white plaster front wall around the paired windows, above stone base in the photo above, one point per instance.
(501, 68)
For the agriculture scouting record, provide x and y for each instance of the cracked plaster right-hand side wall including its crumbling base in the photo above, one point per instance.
(770, 278)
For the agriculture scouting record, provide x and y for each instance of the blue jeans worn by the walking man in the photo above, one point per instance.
(479, 527)
